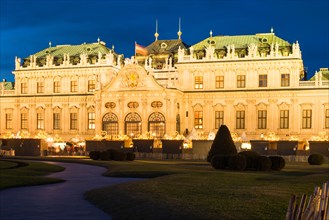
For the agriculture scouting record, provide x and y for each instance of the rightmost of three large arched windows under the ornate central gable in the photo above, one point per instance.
(157, 124)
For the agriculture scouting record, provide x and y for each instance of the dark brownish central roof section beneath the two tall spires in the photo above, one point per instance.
(166, 46)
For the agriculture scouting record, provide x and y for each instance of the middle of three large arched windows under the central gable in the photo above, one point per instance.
(133, 125)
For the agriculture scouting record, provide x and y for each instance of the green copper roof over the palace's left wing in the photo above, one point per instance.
(73, 50)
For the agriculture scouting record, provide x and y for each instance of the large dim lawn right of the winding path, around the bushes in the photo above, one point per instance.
(194, 190)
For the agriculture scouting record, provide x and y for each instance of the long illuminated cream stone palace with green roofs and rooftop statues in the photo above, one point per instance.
(252, 83)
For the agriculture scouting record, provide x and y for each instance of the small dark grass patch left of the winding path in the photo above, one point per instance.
(14, 173)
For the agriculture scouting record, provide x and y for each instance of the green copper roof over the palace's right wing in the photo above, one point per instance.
(242, 41)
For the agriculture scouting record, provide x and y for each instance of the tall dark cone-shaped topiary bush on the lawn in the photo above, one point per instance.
(223, 144)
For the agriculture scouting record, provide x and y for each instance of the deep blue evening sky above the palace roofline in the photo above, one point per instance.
(27, 26)
